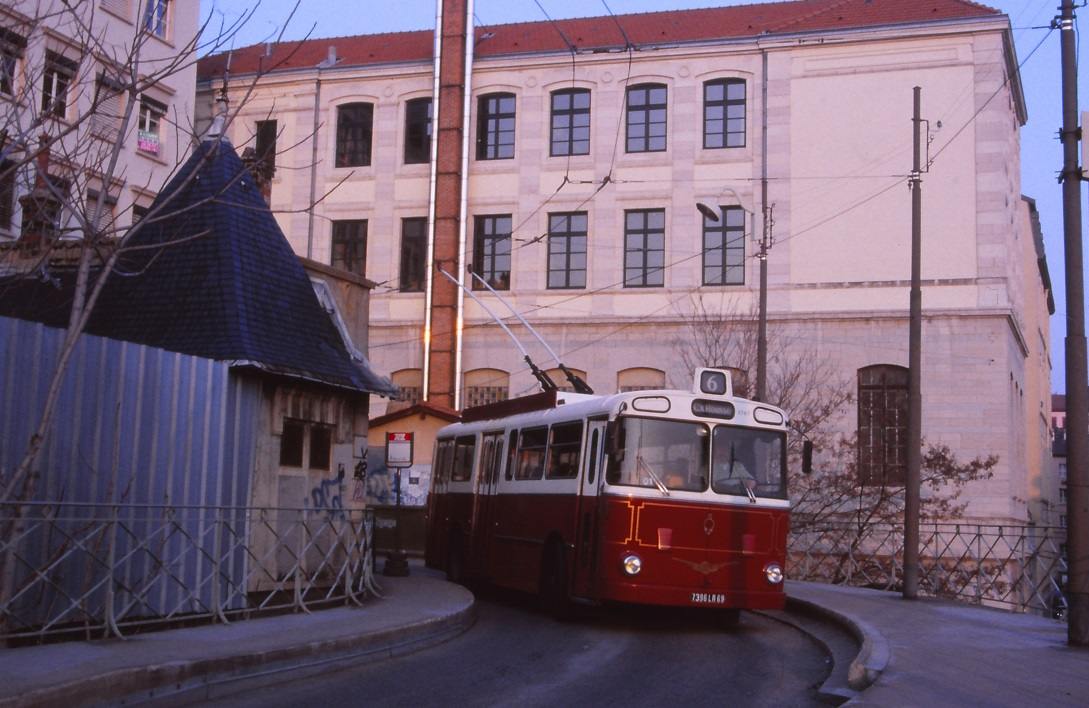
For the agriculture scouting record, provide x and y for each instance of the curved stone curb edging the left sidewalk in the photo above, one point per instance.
(201, 678)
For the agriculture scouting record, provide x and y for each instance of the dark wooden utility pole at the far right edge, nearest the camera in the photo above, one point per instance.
(1078, 377)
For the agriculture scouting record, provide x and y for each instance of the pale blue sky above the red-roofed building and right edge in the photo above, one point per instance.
(1042, 154)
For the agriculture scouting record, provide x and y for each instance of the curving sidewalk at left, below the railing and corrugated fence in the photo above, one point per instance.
(415, 613)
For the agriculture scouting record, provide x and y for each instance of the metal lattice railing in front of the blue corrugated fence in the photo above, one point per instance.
(82, 570)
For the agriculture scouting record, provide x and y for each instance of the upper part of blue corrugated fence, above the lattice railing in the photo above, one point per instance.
(133, 424)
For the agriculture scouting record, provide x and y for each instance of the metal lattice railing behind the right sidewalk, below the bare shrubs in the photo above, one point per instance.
(1019, 568)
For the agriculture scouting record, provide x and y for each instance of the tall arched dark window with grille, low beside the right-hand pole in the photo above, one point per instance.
(883, 425)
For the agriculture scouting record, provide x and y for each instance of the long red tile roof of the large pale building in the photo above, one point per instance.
(590, 34)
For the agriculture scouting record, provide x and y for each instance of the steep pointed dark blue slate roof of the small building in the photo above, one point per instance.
(215, 277)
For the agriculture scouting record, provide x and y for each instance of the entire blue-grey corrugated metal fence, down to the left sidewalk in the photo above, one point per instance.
(149, 453)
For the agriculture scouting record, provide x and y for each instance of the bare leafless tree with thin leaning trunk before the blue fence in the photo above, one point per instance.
(64, 136)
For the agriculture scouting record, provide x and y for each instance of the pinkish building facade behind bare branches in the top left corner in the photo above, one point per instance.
(78, 79)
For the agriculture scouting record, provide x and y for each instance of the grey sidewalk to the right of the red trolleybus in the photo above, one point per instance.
(936, 654)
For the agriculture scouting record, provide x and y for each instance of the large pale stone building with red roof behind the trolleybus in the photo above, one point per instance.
(593, 141)
